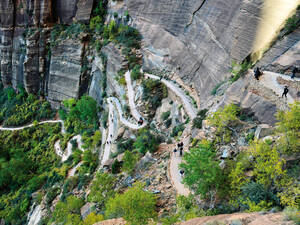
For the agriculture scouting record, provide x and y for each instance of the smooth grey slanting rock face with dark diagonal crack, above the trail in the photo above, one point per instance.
(197, 38)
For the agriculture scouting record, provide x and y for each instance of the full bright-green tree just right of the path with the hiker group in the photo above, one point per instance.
(202, 171)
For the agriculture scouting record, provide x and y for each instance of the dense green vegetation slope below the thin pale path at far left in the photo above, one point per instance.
(28, 162)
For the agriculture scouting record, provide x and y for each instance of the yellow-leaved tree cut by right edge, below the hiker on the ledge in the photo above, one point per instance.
(289, 127)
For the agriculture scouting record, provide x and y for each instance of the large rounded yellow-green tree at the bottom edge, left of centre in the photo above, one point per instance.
(135, 205)
